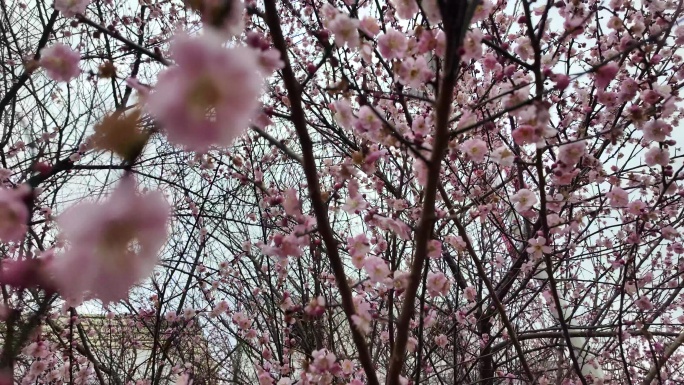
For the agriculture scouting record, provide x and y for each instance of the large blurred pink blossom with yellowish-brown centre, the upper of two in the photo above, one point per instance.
(210, 95)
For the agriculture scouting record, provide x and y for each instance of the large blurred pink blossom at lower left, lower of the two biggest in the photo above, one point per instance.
(112, 245)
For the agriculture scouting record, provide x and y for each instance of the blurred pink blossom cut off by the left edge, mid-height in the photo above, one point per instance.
(14, 214)
